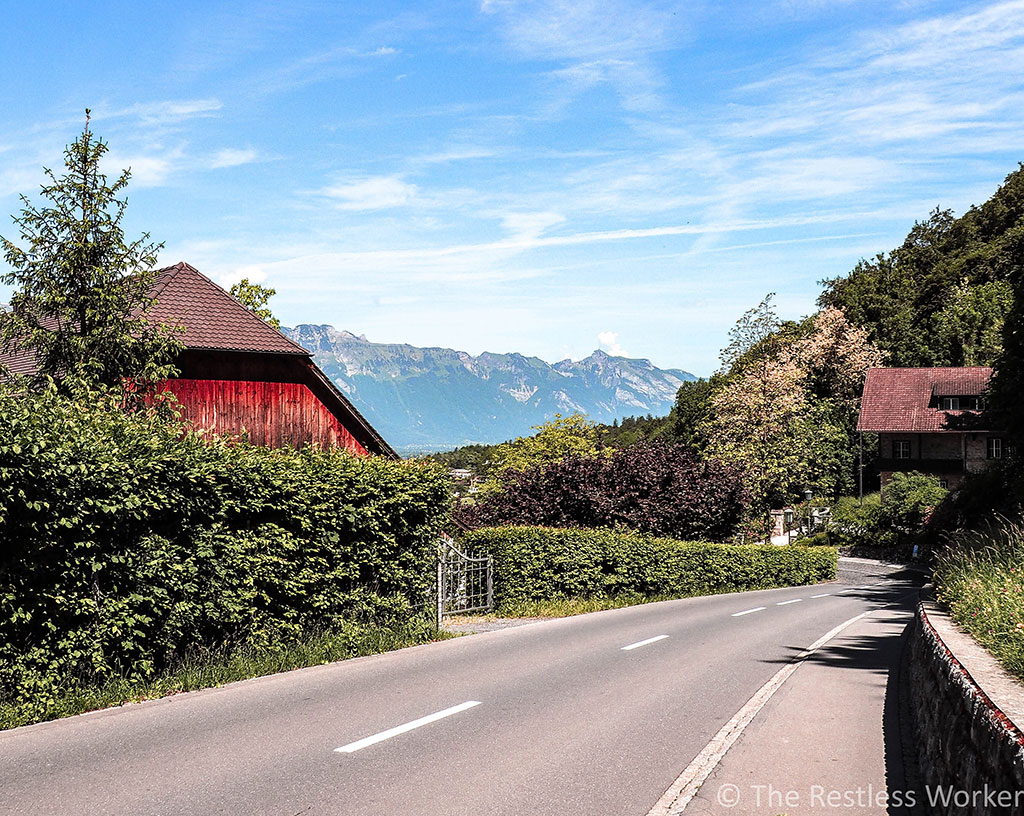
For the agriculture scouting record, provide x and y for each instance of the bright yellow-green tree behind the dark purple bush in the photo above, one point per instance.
(564, 437)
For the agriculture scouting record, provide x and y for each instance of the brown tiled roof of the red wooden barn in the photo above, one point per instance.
(212, 319)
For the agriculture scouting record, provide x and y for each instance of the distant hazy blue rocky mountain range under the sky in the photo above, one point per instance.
(426, 400)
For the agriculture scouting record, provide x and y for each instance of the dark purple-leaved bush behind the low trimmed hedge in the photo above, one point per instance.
(655, 488)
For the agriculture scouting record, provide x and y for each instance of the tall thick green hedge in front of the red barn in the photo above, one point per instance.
(127, 544)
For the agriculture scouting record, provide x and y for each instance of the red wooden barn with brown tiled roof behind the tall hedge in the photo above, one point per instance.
(241, 375)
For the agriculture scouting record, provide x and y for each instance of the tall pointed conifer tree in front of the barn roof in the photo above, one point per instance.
(81, 292)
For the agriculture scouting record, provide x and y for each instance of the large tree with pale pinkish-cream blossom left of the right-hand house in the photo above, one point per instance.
(786, 412)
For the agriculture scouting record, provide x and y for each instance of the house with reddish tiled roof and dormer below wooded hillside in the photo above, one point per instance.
(931, 421)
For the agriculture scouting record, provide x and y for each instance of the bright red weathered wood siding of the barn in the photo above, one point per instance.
(273, 414)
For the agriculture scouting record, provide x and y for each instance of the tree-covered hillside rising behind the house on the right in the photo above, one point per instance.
(784, 406)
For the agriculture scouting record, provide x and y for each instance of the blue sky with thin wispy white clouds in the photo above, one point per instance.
(545, 178)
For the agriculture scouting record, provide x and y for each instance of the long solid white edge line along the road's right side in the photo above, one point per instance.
(678, 796)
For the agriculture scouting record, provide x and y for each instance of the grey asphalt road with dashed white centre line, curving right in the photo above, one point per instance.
(567, 721)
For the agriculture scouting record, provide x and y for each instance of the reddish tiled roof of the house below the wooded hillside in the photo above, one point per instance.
(903, 401)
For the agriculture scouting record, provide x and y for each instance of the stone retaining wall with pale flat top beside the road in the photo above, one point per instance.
(969, 712)
